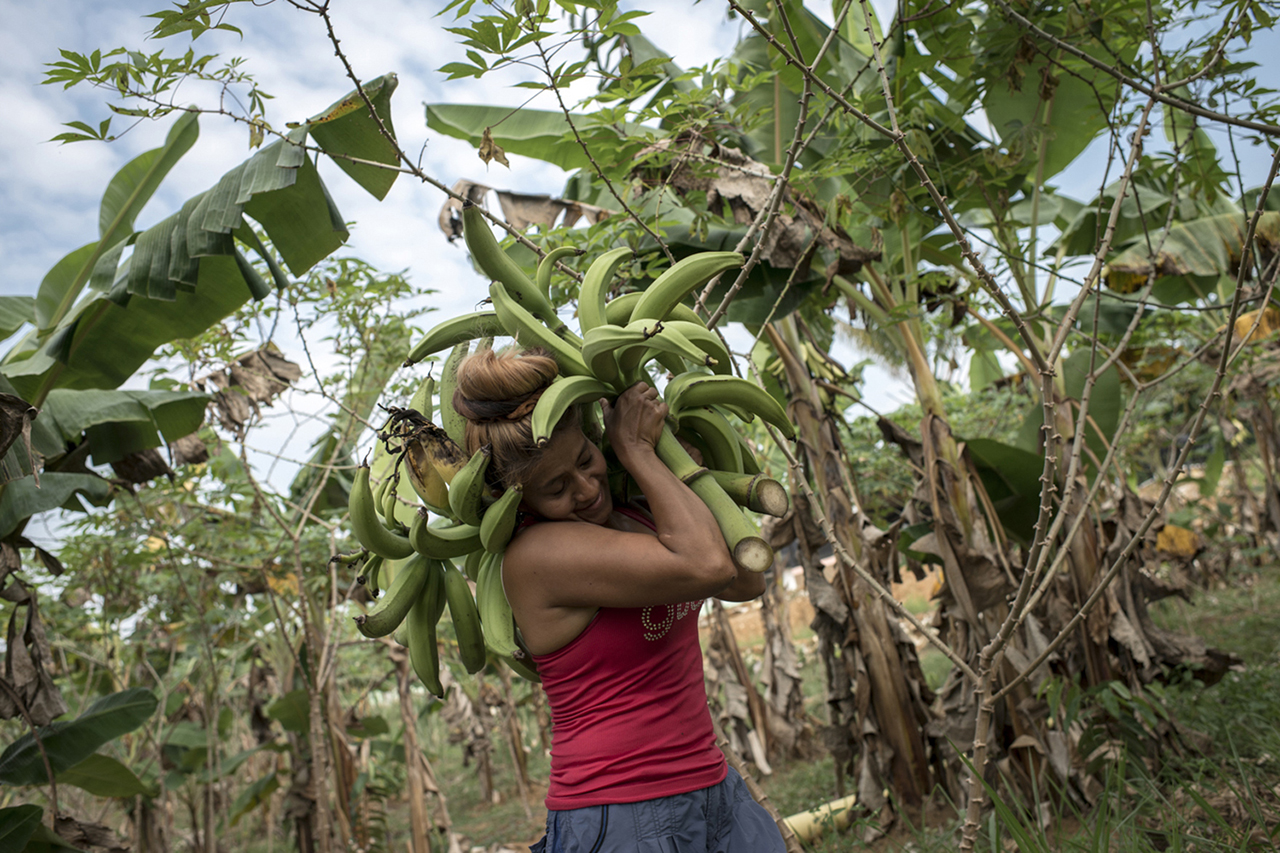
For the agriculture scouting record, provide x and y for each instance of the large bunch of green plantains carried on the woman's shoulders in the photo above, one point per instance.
(620, 339)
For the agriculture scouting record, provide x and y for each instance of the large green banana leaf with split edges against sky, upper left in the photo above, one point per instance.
(189, 271)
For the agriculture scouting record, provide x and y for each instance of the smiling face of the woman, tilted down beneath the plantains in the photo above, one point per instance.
(570, 481)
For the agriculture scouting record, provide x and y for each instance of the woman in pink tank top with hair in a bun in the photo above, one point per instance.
(607, 601)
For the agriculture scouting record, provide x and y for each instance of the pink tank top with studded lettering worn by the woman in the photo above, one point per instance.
(629, 708)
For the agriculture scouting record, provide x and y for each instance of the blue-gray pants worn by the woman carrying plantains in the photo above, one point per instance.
(721, 819)
